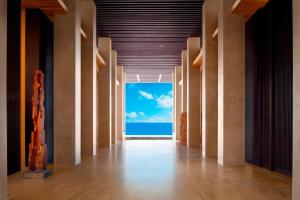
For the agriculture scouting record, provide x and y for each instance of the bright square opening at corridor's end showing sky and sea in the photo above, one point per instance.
(149, 110)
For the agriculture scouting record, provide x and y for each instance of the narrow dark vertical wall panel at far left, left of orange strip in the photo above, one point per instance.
(13, 85)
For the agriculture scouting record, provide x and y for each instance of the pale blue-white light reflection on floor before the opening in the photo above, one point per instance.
(146, 166)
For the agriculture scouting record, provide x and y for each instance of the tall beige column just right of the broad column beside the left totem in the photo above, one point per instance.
(88, 79)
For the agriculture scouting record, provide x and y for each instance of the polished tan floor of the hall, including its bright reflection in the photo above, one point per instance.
(152, 170)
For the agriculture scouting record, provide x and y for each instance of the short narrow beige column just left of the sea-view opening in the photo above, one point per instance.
(120, 103)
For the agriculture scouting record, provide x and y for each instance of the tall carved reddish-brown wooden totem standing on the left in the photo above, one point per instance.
(38, 147)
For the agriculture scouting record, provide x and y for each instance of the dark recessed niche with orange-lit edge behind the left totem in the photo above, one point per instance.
(39, 55)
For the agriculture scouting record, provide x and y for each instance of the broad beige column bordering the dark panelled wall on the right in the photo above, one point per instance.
(231, 86)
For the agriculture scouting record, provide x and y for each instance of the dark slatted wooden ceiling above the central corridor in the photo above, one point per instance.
(149, 34)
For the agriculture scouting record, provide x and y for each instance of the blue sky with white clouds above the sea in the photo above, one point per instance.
(149, 102)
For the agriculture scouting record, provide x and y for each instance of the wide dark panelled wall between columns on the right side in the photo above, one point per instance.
(269, 87)
